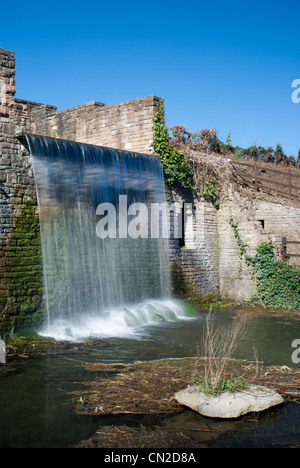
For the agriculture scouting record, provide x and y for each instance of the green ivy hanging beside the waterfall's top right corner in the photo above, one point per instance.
(177, 168)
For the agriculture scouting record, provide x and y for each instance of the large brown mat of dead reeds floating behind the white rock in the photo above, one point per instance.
(149, 388)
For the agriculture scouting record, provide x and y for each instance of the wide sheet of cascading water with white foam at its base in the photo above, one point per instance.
(98, 286)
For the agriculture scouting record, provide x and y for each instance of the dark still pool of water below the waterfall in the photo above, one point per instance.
(36, 412)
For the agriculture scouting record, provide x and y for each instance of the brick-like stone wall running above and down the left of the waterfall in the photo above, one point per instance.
(127, 126)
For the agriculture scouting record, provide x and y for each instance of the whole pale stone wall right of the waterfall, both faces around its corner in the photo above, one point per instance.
(210, 260)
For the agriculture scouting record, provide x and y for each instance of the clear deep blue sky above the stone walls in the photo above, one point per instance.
(224, 65)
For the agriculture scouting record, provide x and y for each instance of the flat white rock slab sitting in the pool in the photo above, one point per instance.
(229, 405)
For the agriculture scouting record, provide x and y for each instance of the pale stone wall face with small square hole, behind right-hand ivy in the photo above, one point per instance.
(258, 222)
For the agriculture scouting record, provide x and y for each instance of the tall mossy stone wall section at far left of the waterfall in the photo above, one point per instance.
(20, 256)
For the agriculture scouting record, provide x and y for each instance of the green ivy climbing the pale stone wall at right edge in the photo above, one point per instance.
(278, 284)
